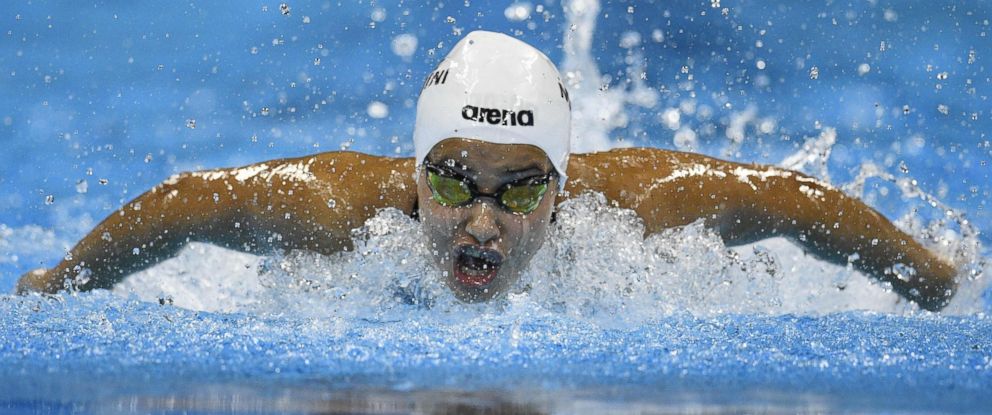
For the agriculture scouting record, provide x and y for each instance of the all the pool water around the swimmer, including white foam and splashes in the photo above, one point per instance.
(886, 100)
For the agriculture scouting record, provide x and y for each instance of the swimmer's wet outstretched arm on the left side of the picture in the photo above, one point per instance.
(284, 205)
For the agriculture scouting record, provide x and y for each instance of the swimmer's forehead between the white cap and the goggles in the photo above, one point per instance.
(484, 157)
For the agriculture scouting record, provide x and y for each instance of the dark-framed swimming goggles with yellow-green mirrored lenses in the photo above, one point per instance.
(453, 189)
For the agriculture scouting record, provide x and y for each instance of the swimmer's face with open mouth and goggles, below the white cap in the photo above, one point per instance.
(481, 245)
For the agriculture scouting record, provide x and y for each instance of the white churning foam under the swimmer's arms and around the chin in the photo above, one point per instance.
(595, 266)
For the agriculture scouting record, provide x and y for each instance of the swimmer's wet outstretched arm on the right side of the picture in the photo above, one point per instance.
(746, 203)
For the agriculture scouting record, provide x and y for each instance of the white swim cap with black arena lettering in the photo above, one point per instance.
(494, 88)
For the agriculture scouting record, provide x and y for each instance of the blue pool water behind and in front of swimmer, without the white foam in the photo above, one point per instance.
(106, 92)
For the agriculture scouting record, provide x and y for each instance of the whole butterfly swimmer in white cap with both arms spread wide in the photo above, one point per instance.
(492, 140)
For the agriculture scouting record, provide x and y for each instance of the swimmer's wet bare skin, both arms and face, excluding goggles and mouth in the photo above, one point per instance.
(313, 202)
